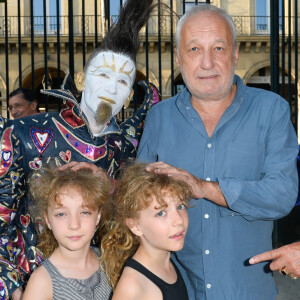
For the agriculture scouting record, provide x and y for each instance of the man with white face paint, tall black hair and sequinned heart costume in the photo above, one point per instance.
(87, 132)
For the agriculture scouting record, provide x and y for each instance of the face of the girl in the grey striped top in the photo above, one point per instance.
(73, 223)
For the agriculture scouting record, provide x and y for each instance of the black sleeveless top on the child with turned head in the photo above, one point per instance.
(175, 291)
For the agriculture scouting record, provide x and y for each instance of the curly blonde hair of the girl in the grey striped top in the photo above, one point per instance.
(45, 185)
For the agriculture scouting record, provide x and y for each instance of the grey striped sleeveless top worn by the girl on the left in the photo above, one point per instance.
(95, 287)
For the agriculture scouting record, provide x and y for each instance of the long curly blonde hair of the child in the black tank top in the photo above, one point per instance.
(135, 191)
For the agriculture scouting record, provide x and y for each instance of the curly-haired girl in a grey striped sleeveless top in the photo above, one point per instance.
(68, 206)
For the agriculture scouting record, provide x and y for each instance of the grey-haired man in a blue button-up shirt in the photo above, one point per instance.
(236, 147)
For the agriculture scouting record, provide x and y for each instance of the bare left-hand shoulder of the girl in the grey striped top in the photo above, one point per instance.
(39, 285)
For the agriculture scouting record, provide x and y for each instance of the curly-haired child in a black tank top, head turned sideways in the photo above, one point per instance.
(148, 220)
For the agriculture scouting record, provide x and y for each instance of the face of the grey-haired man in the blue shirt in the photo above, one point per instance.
(207, 58)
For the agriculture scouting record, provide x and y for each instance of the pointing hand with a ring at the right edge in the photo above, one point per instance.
(287, 257)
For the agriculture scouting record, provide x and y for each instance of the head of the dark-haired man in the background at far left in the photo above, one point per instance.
(21, 103)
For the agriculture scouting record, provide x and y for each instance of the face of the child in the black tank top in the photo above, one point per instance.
(162, 228)
